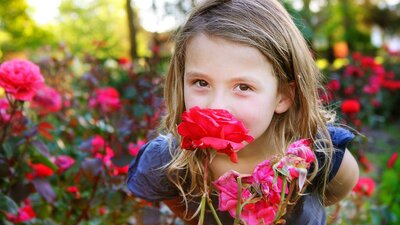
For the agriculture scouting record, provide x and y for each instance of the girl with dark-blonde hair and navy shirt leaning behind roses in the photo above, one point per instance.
(248, 57)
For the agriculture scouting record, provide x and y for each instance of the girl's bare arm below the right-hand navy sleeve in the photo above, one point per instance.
(344, 181)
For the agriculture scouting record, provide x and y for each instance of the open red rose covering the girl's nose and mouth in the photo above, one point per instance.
(212, 128)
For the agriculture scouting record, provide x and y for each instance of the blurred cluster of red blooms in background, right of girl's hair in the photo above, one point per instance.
(358, 88)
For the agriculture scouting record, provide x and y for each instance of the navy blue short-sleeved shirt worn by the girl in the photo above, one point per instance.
(148, 180)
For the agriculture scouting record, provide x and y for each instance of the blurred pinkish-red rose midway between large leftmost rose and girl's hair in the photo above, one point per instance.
(107, 98)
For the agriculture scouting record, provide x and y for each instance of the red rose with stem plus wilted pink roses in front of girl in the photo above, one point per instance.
(257, 198)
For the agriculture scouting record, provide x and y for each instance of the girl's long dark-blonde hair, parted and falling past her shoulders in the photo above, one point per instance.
(266, 26)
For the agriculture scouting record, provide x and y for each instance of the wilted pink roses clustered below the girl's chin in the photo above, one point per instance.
(262, 197)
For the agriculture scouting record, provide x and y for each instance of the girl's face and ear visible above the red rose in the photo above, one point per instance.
(221, 74)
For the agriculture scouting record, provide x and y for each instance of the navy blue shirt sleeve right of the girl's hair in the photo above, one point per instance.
(340, 139)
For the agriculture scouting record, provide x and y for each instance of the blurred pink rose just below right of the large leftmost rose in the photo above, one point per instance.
(47, 100)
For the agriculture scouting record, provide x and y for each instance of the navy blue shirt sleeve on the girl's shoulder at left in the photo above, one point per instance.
(146, 177)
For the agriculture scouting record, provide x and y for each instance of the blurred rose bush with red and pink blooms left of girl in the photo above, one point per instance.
(62, 162)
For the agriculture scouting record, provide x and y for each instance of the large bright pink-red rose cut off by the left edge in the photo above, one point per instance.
(21, 78)
